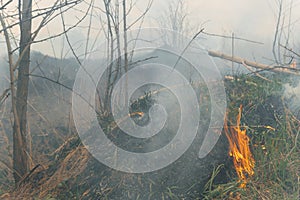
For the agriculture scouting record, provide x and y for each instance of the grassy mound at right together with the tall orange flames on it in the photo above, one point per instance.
(273, 136)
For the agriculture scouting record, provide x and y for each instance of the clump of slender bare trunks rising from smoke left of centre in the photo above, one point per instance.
(117, 25)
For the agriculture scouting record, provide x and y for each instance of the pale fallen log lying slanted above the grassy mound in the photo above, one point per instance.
(239, 60)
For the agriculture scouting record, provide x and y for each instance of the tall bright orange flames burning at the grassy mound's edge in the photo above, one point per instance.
(239, 149)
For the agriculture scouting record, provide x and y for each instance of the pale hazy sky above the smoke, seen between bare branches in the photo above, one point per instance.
(251, 19)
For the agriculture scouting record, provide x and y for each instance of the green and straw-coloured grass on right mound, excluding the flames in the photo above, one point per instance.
(276, 150)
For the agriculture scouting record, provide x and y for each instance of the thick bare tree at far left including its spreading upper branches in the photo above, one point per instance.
(19, 70)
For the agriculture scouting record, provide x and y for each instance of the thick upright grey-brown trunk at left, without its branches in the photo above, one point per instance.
(20, 157)
